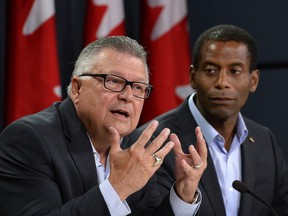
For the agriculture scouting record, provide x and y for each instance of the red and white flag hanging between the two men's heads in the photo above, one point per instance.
(165, 36)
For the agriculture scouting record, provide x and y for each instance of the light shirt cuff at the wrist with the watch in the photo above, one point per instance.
(181, 208)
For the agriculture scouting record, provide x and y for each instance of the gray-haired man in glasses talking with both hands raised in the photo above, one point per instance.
(67, 159)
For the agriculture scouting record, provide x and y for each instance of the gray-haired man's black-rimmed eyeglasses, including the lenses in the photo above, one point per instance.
(117, 84)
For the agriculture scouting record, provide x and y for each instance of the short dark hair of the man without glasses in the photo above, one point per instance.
(226, 33)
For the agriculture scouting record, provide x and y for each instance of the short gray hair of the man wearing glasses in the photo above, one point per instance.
(122, 44)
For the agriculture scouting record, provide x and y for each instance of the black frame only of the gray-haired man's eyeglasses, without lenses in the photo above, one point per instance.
(127, 82)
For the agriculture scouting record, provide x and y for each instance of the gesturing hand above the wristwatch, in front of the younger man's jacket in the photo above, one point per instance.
(189, 167)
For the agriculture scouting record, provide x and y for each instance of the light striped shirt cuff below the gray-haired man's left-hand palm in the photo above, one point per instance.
(113, 201)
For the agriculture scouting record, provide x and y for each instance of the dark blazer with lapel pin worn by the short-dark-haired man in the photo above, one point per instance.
(264, 169)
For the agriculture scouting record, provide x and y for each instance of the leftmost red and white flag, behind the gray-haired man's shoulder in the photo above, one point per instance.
(33, 81)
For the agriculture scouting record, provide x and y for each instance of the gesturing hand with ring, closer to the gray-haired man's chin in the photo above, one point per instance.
(130, 169)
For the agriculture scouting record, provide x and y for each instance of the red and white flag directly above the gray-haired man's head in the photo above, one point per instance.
(104, 18)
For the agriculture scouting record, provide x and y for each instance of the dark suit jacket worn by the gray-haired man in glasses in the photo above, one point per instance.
(47, 167)
